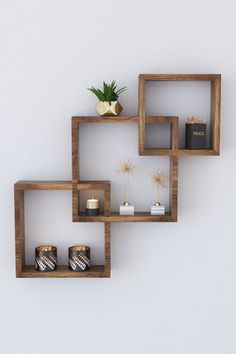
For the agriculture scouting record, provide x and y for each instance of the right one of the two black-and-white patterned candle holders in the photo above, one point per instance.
(79, 258)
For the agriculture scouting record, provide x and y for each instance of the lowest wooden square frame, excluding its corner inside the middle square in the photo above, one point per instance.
(24, 271)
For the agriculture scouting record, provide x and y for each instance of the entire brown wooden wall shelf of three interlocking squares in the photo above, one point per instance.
(76, 185)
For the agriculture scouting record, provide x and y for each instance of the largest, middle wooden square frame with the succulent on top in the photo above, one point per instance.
(114, 216)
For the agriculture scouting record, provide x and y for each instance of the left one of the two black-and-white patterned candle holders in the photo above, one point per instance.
(45, 258)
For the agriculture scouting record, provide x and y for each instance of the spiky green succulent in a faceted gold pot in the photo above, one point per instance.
(109, 104)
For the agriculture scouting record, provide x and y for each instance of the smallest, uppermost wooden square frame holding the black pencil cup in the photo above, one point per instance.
(215, 80)
